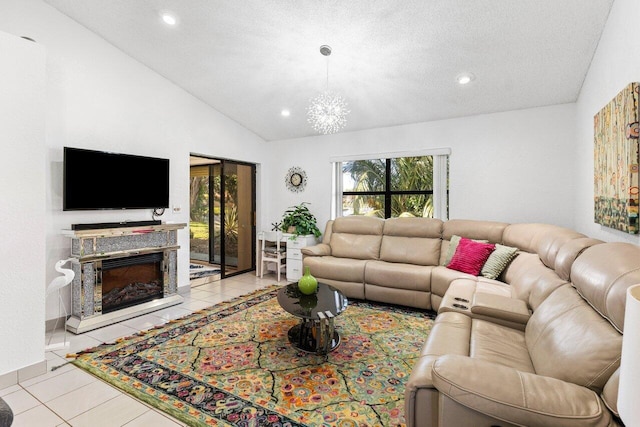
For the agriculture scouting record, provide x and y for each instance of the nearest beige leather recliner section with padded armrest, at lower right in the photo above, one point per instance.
(562, 370)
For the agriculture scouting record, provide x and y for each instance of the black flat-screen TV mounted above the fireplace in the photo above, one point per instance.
(100, 180)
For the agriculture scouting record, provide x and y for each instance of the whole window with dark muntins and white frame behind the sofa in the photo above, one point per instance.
(415, 186)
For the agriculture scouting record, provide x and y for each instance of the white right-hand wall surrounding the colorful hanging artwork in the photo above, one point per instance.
(615, 65)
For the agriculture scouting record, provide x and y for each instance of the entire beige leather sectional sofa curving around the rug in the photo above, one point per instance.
(538, 346)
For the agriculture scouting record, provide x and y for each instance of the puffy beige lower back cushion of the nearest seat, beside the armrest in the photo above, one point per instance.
(567, 339)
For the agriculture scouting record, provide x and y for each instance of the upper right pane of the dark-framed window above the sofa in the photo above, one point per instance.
(412, 173)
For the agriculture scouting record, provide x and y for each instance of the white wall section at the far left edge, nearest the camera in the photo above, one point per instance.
(22, 216)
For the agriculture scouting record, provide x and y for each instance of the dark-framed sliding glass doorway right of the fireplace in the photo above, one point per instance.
(221, 218)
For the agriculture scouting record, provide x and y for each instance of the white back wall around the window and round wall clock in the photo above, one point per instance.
(514, 167)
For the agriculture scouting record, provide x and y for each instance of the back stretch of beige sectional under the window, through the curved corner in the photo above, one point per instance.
(399, 260)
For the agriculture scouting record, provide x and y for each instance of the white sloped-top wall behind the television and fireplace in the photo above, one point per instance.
(100, 98)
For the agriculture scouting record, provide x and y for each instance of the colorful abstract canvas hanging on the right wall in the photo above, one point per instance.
(616, 160)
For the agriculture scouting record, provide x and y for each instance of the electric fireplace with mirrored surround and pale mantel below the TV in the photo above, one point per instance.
(122, 272)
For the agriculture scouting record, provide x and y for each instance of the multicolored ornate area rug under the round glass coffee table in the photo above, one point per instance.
(232, 365)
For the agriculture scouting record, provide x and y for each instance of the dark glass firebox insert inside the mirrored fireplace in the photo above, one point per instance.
(130, 281)
